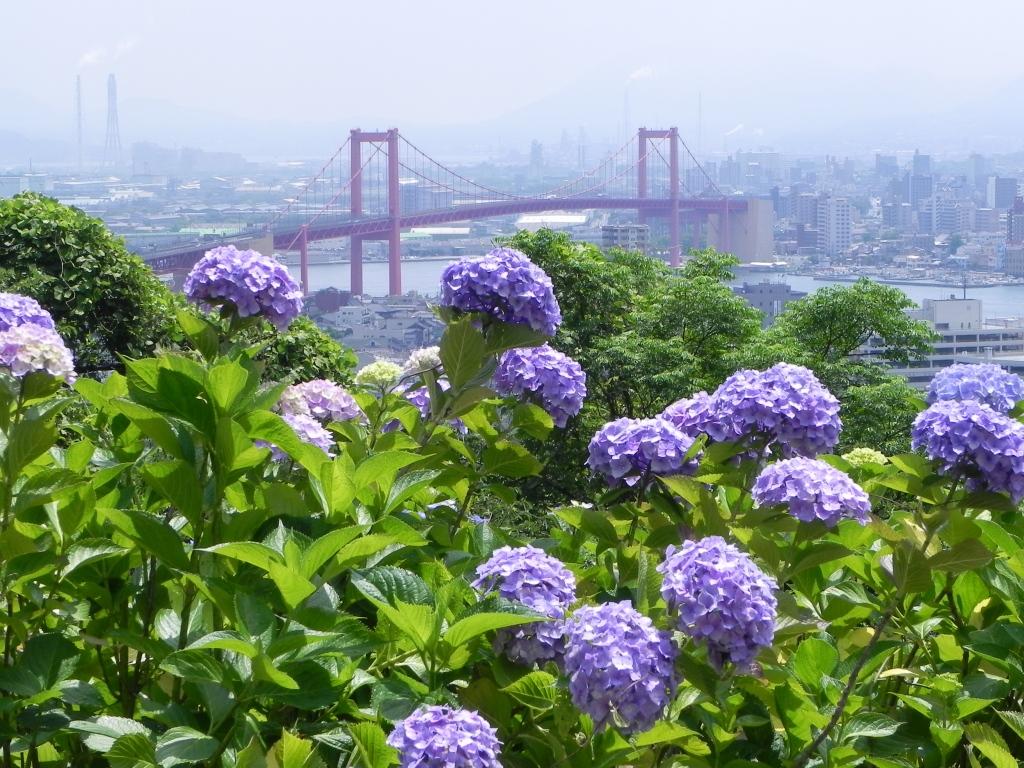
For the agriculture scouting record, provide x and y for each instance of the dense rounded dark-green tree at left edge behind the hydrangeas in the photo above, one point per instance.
(105, 301)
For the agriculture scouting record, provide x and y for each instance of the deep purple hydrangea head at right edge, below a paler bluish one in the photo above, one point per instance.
(972, 440)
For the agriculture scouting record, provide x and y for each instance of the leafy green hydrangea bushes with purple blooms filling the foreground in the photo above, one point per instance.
(202, 568)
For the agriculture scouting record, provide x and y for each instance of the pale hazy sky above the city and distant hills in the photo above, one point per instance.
(291, 75)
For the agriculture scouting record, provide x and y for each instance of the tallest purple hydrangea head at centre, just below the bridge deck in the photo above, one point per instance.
(504, 284)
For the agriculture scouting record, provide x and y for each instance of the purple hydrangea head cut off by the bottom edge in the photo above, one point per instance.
(445, 738)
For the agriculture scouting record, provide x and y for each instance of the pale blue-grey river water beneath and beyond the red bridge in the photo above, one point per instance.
(423, 276)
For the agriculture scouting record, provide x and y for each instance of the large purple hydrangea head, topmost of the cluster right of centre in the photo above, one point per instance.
(786, 405)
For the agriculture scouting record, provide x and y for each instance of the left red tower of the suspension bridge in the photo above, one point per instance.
(394, 237)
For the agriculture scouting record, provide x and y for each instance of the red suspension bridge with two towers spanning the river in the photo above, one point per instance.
(378, 184)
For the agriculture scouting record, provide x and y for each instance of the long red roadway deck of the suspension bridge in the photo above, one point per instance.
(371, 228)
